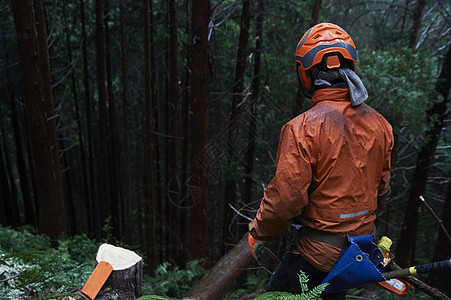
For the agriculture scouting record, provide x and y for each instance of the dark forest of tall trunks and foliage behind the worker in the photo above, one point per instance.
(144, 122)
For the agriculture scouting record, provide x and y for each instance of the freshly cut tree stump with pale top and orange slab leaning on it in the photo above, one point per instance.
(125, 280)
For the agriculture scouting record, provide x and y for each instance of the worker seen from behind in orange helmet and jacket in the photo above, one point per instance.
(333, 164)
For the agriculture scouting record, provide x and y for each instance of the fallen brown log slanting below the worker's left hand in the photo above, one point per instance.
(218, 281)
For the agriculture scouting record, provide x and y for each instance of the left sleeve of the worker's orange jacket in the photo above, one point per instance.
(286, 194)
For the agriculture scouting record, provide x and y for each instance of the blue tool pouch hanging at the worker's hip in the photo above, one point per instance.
(359, 265)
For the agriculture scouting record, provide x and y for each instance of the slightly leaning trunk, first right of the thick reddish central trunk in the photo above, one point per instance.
(234, 152)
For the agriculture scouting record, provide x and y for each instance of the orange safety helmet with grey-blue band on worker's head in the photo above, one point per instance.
(324, 44)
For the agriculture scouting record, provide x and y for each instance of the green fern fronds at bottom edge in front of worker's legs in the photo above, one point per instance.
(314, 294)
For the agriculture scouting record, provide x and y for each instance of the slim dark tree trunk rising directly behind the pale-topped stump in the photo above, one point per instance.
(126, 200)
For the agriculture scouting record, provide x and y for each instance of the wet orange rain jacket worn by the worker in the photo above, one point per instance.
(333, 163)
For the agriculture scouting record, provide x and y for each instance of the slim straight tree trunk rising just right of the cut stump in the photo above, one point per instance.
(149, 147)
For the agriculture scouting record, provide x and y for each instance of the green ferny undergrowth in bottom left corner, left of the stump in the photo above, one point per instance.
(30, 267)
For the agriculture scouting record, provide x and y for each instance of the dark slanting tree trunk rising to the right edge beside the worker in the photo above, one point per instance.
(435, 116)
